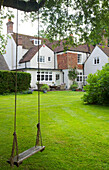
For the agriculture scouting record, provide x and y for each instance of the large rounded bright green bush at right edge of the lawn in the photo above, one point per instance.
(97, 89)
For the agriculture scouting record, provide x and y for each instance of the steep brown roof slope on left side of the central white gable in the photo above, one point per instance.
(30, 53)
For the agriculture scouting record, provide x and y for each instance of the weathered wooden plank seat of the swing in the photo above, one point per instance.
(26, 154)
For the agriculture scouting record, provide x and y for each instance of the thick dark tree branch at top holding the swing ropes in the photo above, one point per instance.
(28, 6)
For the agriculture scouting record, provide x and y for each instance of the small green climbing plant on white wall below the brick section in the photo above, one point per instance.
(72, 74)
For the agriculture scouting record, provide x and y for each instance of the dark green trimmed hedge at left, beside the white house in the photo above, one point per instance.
(8, 79)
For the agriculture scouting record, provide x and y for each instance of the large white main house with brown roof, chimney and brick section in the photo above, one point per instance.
(54, 62)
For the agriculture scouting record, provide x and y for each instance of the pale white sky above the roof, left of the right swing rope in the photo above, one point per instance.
(27, 28)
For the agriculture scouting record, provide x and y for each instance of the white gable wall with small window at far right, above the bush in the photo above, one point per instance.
(90, 66)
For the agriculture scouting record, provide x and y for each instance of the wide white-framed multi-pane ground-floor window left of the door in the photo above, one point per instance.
(44, 76)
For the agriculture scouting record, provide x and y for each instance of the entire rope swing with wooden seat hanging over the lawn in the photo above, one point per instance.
(18, 159)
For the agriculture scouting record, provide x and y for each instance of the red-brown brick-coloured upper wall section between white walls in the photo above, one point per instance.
(68, 60)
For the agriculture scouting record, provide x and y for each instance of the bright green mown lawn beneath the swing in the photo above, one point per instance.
(76, 136)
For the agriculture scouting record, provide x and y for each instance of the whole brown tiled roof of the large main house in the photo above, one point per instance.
(56, 46)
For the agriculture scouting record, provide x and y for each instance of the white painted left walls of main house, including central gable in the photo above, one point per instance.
(48, 67)
